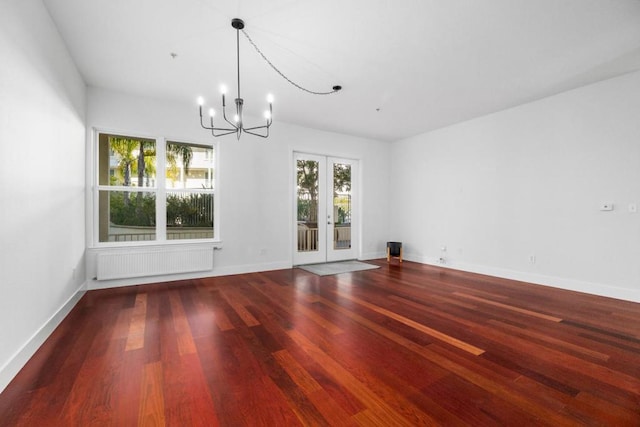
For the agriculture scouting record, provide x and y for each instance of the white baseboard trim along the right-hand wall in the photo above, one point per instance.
(599, 289)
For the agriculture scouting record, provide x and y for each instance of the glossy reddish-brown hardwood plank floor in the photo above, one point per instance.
(401, 345)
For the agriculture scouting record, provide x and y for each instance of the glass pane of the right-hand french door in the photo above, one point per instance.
(342, 206)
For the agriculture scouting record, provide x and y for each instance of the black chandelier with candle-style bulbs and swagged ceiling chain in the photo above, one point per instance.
(236, 124)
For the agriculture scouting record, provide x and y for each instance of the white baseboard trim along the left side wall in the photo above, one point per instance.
(22, 356)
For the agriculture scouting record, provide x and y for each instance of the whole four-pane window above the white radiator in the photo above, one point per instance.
(152, 190)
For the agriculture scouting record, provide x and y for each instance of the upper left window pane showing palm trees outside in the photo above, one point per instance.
(126, 161)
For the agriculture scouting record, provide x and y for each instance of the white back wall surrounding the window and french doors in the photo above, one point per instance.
(255, 181)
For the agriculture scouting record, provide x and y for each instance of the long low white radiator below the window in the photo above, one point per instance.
(153, 262)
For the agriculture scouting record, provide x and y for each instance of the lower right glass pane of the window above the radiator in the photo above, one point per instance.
(189, 215)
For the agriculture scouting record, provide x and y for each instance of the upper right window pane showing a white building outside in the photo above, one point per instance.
(189, 166)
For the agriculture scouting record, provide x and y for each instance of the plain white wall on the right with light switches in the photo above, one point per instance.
(528, 181)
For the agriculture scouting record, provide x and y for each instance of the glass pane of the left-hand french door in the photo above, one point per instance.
(307, 199)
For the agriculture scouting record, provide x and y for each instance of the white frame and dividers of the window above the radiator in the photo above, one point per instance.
(160, 190)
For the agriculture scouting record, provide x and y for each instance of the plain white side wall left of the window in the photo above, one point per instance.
(42, 108)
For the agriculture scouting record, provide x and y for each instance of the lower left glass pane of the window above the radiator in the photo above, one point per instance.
(126, 216)
